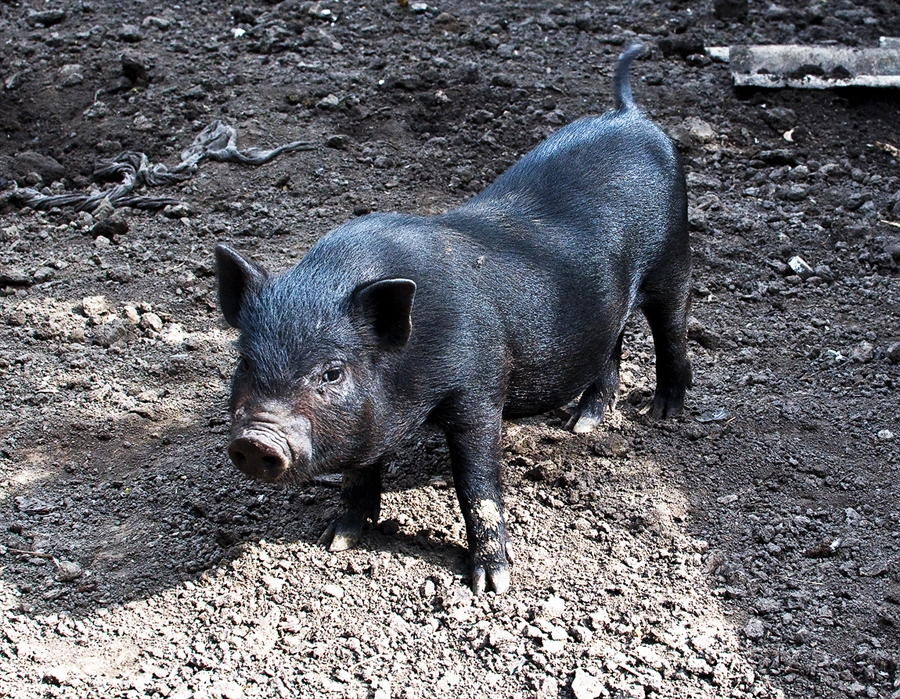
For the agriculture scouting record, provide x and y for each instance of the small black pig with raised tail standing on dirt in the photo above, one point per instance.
(510, 305)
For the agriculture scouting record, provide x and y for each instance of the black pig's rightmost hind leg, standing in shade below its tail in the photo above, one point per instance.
(668, 323)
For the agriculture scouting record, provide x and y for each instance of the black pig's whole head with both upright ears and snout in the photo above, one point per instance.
(313, 390)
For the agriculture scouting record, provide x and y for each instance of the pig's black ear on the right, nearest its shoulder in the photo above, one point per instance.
(386, 307)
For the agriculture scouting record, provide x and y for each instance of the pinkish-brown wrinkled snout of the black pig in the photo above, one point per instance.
(267, 446)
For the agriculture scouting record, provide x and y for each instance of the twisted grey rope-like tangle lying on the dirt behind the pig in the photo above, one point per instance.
(218, 141)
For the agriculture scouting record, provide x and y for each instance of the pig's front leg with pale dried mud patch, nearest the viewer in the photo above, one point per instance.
(474, 455)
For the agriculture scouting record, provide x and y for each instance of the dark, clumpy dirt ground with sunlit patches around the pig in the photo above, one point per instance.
(750, 547)
